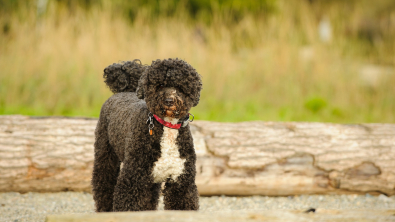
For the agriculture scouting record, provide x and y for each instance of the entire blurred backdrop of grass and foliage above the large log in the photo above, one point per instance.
(259, 59)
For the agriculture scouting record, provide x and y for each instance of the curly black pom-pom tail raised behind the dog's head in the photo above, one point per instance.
(123, 76)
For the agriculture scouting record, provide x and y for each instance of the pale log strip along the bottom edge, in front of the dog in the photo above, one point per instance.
(234, 216)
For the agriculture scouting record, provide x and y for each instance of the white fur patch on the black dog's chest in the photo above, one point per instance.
(169, 165)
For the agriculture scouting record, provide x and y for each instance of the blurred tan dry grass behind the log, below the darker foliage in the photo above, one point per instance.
(255, 70)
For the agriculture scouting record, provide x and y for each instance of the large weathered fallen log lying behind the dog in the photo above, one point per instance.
(249, 158)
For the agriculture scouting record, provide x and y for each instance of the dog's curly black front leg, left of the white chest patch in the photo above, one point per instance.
(135, 190)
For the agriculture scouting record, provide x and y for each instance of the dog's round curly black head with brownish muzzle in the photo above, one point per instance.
(170, 87)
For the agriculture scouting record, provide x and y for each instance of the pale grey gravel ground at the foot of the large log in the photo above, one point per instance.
(36, 206)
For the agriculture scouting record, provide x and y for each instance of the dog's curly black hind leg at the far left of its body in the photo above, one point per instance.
(106, 168)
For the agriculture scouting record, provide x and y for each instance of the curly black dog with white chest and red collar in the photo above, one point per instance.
(144, 126)
